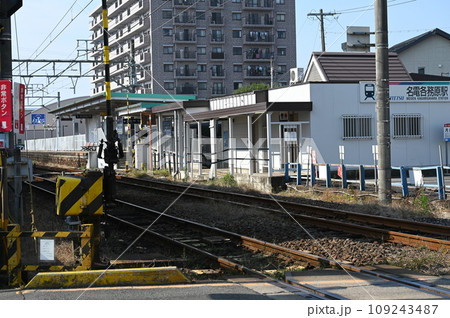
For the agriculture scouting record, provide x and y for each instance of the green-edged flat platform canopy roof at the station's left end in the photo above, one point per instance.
(96, 105)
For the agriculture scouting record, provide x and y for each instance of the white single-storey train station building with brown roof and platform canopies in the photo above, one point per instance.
(256, 133)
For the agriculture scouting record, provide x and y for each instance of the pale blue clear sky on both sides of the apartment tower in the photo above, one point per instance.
(49, 29)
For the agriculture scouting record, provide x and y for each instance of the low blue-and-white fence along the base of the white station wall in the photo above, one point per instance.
(408, 176)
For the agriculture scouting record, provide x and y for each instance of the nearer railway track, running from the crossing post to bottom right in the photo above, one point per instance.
(238, 252)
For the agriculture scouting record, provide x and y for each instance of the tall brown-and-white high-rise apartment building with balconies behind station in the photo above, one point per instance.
(203, 47)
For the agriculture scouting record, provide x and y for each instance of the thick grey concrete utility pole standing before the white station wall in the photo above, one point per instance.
(382, 104)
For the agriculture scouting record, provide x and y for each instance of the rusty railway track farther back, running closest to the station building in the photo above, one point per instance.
(417, 234)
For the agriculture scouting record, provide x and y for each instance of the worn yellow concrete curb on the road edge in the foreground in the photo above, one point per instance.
(112, 277)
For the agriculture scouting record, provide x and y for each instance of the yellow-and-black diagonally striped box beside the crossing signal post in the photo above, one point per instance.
(80, 195)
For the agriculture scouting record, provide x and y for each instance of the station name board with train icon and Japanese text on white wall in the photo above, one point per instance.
(408, 92)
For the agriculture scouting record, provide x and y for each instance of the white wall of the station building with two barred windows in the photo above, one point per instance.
(342, 115)
